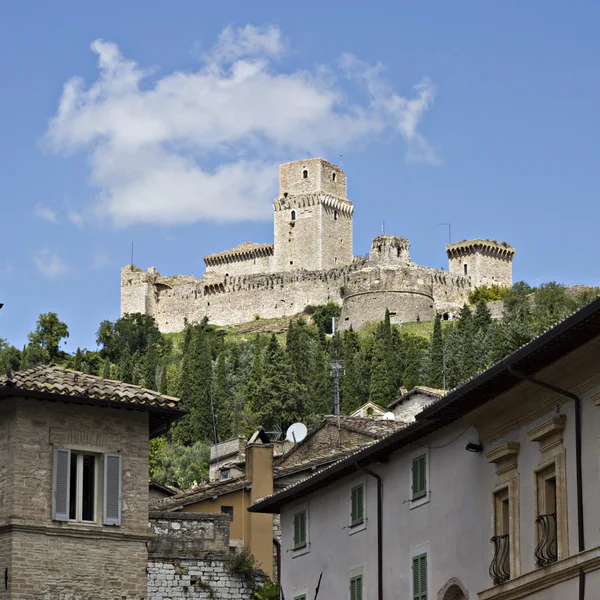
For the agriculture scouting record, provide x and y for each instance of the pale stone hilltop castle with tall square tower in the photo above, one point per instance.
(311, 263)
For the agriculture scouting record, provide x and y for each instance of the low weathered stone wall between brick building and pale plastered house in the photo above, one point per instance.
(189, 558)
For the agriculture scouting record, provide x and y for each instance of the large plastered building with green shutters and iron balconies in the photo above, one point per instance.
(491, 493)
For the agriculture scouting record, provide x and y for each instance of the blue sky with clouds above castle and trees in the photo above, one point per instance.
(162, 124)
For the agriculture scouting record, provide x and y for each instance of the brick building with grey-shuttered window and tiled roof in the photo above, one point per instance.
(74, 484)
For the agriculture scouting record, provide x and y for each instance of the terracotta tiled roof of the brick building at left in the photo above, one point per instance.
(66, 382)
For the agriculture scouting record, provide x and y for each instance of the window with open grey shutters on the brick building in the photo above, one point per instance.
(85, 486)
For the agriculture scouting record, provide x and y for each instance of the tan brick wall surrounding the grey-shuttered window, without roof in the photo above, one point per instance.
(45, 560)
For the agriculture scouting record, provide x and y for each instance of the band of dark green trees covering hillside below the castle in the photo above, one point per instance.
(230, 386)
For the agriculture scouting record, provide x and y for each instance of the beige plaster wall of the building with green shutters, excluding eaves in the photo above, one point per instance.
(455, 523)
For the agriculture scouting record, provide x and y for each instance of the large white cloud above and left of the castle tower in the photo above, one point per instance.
(206, 145)
